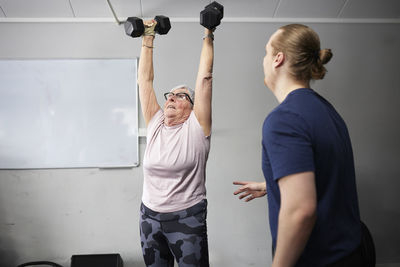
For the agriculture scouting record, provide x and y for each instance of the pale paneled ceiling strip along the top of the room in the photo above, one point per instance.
(367, 10)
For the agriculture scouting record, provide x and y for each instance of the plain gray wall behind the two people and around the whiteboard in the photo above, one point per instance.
(53, 214)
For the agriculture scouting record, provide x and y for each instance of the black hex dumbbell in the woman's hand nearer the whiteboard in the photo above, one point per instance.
(134, 26)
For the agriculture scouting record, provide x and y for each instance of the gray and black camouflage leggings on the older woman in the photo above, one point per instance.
(181, 235)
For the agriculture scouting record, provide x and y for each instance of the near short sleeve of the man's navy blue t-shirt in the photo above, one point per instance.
(288, 144)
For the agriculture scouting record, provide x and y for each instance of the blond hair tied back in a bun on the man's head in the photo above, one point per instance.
(301, 46)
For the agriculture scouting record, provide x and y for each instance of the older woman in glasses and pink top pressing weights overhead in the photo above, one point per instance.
(174, 205)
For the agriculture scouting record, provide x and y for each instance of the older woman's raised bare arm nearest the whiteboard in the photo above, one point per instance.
(147, 95)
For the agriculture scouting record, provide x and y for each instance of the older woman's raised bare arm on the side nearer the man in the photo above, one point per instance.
(203, 91)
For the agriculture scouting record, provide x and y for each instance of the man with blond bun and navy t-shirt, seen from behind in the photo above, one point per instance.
(307, 160)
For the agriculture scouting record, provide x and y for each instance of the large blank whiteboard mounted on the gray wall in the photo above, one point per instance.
(67, 113)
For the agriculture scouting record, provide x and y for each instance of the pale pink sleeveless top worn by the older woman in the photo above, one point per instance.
(174, 164)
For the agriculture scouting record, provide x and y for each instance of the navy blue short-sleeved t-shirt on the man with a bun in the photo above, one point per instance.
(305, 133)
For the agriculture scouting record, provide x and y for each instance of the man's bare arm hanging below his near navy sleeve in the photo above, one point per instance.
(297, 217)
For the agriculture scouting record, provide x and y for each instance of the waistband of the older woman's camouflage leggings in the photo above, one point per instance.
(176, 215)
